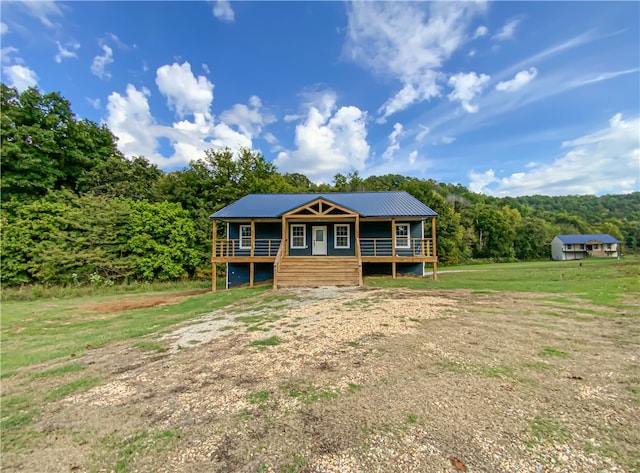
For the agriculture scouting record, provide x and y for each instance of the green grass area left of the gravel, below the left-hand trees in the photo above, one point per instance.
(43, 330)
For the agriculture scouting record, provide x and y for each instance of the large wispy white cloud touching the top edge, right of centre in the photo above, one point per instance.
(408, 42)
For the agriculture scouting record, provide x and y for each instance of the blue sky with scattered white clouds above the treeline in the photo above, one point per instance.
(505, 98)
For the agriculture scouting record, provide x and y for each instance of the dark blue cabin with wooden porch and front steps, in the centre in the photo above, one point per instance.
(323, 239)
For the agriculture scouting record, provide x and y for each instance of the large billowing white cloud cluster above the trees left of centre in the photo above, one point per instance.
(129, 117)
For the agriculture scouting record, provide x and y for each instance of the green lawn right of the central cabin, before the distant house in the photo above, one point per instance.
(601, 281)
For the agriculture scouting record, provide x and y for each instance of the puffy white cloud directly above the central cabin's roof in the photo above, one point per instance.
(330, 140)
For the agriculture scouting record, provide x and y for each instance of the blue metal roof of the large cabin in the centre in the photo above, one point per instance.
(367, 204)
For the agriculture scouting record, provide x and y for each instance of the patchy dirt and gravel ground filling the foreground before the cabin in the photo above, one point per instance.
(361, 380)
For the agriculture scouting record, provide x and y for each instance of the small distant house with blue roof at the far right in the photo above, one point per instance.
(570, 247)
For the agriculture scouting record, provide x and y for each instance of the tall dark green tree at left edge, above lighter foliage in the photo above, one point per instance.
(43, 146)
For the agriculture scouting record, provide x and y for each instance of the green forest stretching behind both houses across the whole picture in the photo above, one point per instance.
(76, 211)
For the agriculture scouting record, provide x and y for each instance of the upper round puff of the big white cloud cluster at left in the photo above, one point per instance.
(185, 93)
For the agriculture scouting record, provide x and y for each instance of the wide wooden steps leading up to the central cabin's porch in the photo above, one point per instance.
(318, 271)
